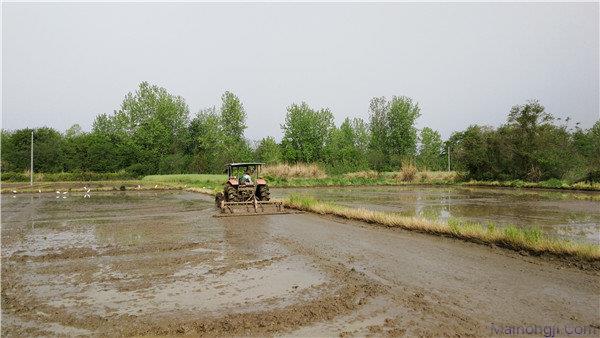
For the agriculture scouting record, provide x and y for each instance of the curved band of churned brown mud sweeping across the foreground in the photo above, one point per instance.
(352, 293)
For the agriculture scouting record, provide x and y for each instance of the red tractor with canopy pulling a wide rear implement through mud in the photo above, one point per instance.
(245, 192)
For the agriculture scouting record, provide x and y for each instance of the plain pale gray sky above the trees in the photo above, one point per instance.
(464, 63)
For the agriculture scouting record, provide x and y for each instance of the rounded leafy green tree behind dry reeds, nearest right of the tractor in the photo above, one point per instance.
(306, 132)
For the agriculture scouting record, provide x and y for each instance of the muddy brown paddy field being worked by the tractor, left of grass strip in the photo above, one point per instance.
(158, 263)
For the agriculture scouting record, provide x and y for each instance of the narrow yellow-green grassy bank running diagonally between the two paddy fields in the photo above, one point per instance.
(531, 240)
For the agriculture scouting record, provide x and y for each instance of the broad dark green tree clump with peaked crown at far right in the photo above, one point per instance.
(528, 147)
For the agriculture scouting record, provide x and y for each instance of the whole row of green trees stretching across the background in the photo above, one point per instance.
(153, 132)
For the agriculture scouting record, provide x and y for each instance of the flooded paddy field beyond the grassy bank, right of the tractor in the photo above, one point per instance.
(575, 216)
